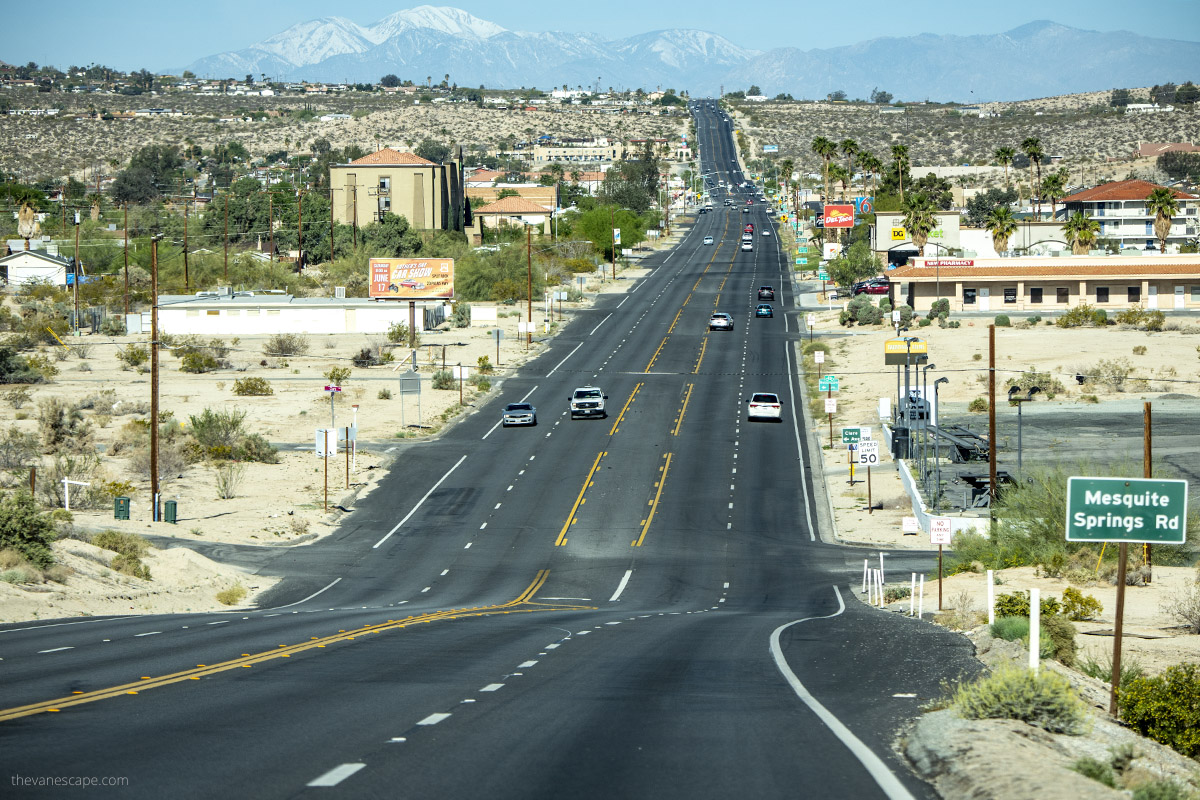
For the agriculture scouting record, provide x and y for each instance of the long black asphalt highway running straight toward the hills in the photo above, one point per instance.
(645, 605)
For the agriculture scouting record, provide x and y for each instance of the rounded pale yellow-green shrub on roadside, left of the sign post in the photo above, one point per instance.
(1045, 700)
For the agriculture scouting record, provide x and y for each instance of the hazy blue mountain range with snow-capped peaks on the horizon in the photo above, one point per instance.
(430, 43)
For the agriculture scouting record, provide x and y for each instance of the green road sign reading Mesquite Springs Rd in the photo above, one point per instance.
(1127, 510)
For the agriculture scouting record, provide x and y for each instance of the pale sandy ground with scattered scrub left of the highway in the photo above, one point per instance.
(275, 504)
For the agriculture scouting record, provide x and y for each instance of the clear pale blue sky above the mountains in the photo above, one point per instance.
(136, 34)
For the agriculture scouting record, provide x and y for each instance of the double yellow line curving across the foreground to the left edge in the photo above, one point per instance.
(514, 606)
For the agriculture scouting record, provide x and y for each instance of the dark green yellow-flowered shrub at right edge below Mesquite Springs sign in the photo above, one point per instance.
(1166, 708)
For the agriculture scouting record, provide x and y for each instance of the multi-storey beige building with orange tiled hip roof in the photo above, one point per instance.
(430, 196)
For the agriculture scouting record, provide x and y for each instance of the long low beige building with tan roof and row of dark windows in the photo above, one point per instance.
(1052, 284)
